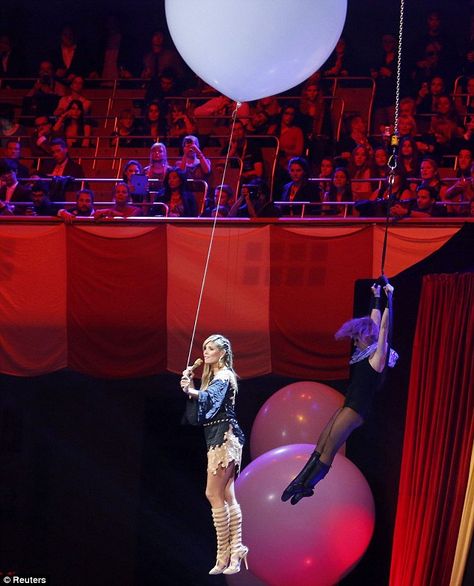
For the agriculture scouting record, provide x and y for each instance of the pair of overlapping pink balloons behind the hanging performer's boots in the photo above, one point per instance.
(321, 539)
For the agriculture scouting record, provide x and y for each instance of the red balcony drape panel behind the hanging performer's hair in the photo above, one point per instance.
(312, 279)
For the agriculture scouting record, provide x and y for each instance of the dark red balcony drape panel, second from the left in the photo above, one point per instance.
(117, 301)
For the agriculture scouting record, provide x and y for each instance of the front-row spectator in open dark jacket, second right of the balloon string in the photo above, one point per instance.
(299, 188)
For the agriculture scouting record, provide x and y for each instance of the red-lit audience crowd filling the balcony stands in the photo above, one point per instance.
(179, 110)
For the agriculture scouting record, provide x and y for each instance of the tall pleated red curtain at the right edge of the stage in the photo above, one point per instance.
(438, 435)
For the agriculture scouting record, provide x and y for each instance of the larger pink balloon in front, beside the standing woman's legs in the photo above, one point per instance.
(317, 541)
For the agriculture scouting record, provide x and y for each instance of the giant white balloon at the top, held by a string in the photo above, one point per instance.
(250, 49)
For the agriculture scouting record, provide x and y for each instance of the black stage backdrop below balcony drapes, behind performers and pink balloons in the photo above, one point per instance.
(102, 485)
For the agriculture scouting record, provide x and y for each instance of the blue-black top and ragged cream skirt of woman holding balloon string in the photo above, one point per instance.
(216, 412)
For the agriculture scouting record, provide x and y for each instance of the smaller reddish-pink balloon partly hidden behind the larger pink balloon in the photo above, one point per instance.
(296, 414)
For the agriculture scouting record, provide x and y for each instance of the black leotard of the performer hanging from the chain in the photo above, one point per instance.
(364, 383)
